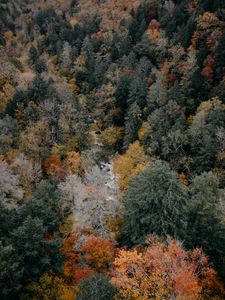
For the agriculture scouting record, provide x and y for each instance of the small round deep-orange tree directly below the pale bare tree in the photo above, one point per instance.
(98, 252)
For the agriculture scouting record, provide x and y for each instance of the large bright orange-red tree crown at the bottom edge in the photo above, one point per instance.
(162, 271)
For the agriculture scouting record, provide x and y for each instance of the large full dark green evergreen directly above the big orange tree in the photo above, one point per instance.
(155, 202)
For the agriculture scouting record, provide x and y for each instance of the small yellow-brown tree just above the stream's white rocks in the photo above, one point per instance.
(112, 135)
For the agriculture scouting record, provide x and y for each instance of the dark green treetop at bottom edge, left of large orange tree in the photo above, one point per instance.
(96, 287)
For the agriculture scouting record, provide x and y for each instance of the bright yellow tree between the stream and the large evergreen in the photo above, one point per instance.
(131, 163)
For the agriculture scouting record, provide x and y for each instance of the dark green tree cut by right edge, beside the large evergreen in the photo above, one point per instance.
(205, 225)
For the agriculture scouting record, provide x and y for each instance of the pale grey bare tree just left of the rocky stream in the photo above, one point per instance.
(90, 201)
